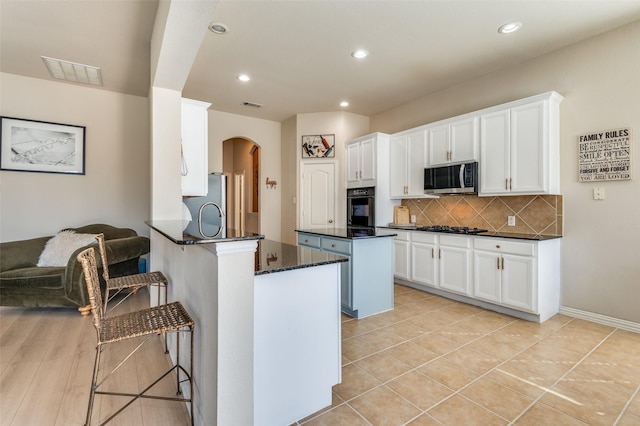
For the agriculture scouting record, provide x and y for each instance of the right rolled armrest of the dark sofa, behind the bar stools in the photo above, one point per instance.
(118, 250)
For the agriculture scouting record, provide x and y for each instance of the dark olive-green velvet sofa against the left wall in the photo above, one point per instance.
(23, 283)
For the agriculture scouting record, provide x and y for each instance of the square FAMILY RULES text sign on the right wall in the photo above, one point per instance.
(604, 155)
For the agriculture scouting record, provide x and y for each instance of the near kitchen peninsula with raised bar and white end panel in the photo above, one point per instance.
(267, 336)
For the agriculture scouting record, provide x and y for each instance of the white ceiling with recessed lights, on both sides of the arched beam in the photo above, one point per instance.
(298, 52)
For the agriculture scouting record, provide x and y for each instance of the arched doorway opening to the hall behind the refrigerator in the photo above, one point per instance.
(241, 163)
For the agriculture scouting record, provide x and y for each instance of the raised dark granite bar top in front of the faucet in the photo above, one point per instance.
(188, 232)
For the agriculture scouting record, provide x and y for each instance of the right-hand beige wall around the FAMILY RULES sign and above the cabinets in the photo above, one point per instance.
(600, 80)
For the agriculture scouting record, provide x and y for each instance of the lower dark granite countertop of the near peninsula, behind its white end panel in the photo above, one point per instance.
(273, 256)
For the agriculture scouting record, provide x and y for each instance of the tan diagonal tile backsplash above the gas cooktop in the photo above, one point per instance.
(535, 214)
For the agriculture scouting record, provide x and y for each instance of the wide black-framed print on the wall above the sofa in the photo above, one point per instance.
(40, 146)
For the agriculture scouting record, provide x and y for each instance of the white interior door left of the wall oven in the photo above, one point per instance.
(318, 196)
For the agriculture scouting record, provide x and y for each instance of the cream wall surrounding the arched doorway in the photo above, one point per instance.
(266, 134)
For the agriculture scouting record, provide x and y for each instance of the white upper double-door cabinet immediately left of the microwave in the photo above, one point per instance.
(407, 162)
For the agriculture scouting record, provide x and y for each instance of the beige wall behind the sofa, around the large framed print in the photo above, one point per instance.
(115, 189)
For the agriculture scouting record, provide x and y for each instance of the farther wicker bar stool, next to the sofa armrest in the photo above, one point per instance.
(128, 282)
